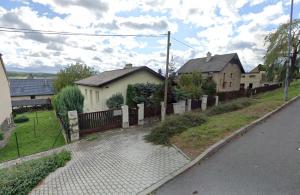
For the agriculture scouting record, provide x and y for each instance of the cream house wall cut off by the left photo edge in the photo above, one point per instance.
(5, 101)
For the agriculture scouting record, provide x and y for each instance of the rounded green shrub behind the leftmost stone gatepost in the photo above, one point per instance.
(68, 99)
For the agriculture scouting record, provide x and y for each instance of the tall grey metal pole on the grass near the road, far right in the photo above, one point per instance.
(288, 65)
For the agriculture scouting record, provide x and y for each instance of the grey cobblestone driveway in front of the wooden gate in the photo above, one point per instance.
(119, 163)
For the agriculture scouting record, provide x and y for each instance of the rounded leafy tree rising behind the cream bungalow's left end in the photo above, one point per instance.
(72, 73)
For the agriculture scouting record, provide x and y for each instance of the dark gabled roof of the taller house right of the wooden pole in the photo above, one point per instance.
(216, 64)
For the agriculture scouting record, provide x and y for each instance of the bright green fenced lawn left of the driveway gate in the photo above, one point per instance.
(47, 129)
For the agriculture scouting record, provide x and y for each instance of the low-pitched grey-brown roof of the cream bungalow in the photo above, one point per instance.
(110, 76)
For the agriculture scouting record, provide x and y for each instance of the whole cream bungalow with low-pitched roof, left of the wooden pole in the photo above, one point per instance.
(98, 88)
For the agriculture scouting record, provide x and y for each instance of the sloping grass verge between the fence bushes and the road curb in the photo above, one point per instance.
(195, 140)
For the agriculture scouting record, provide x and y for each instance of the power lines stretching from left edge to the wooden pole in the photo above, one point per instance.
(24, 30)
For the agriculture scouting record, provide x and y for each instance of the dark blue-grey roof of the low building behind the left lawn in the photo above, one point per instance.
(28, 87)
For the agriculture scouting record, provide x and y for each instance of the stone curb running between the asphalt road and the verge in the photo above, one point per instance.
(214, 148)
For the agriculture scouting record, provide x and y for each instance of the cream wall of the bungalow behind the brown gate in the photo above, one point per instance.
(91, 104)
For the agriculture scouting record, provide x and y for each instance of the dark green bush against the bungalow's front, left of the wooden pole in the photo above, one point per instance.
(142, 93)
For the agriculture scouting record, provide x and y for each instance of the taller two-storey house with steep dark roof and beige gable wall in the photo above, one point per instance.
(225, 70)
